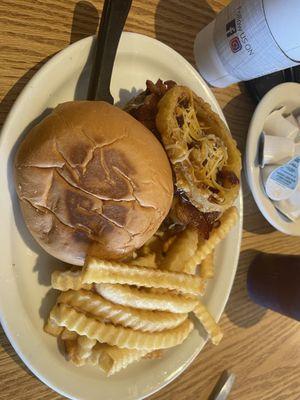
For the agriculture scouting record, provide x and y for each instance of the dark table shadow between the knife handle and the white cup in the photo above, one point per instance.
(178, 22)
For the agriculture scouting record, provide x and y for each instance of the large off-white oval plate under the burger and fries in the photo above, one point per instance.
(25, 268)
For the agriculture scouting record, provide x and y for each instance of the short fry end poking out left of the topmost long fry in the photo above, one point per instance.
(66, 280)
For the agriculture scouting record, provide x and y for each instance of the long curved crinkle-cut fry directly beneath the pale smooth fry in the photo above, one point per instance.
(96, 305)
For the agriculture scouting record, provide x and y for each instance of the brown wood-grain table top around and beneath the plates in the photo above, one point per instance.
(260, 347)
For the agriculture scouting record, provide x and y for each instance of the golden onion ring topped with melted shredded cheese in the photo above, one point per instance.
(203, 154)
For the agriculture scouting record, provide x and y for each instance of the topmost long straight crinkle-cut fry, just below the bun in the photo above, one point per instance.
(100, 271)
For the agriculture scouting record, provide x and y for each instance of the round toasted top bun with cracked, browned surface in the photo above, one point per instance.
(92, 179)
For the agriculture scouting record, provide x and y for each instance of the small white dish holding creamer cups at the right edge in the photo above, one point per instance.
(288, 95)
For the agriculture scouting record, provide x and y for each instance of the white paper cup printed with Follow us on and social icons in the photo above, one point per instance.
(249, 39)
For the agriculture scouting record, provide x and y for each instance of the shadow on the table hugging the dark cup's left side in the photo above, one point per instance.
(241, 310)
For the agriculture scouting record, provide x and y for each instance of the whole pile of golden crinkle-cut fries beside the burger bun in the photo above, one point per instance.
(111, 314)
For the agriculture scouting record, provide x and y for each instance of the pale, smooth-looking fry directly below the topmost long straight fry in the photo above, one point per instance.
(146, 299)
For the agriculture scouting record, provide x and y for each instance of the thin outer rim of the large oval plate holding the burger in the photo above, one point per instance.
(6, 127)
